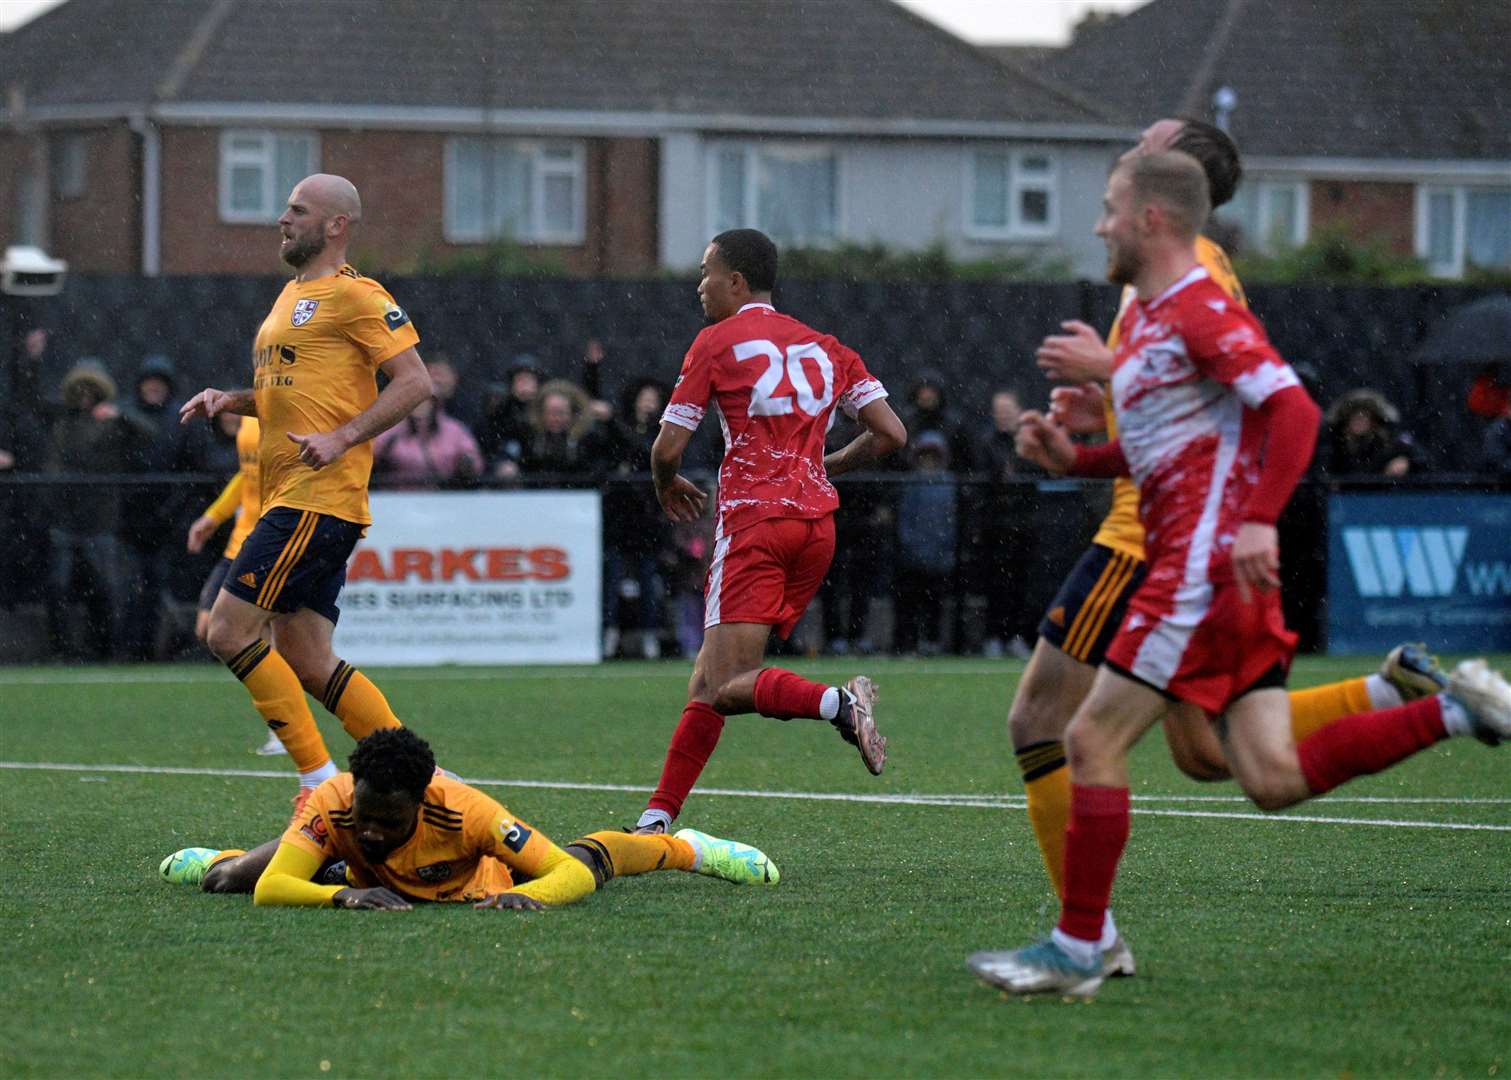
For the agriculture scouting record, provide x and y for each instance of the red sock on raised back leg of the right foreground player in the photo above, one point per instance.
(1370, 742)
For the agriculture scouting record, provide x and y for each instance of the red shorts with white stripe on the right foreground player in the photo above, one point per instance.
(1204, 644)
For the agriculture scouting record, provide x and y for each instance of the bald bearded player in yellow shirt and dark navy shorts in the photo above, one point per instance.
(317, 398)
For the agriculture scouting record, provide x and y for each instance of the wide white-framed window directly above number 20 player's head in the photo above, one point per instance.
(788, 191)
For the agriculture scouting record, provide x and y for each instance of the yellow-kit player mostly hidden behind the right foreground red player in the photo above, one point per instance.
(1090, 605)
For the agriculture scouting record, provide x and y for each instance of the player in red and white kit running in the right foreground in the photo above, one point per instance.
(1216, 430)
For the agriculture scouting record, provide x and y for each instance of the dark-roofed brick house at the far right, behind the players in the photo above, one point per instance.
(1388, 119)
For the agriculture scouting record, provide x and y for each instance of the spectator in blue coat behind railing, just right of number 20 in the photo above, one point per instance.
(927, 519)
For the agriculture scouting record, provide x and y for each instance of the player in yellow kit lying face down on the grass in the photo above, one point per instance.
(407, 833)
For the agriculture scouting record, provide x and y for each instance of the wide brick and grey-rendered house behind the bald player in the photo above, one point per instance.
(164, 135)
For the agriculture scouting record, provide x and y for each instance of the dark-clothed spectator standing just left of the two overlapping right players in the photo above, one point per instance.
(1003, 534)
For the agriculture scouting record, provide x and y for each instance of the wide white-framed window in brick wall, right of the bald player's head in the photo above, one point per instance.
(527, 191)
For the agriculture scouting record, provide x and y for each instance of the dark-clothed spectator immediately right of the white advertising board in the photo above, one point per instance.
(637, 534)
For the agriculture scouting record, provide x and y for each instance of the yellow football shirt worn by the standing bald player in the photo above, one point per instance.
(315, 368)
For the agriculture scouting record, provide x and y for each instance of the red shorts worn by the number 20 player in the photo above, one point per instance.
(768, 573)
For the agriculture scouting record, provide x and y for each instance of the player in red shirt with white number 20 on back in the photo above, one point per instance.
(774, 386)
